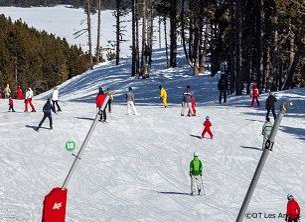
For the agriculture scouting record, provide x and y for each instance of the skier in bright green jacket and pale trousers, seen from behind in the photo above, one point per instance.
(196, 174)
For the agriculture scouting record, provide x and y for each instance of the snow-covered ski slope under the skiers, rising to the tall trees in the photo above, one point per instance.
(135, 168)
